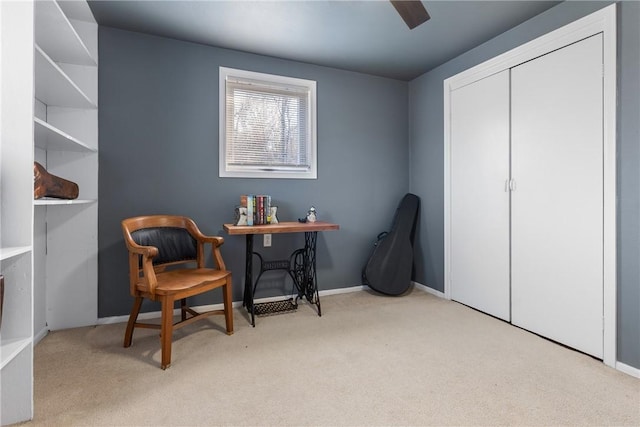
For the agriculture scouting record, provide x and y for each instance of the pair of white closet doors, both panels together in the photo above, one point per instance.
(526, 196)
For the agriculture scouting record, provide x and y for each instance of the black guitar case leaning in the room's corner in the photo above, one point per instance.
(389, 268)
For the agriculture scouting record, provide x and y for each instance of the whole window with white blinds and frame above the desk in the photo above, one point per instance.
(267, 126)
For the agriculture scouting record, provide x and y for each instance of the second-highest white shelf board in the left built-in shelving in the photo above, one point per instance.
(54, 87)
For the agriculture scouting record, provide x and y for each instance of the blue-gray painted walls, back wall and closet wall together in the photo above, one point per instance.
(159, 154)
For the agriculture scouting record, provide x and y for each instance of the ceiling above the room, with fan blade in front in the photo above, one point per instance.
(365, 36)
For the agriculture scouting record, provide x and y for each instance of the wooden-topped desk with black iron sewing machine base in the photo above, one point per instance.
(301, 266)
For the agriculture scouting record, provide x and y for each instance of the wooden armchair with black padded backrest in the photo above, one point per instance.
(159, 241)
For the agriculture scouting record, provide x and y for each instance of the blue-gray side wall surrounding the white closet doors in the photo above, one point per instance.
(426, 136)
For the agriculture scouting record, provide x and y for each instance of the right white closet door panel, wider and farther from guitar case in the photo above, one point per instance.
(557, 207)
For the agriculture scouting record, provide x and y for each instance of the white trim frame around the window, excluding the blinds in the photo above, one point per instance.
(250, 171)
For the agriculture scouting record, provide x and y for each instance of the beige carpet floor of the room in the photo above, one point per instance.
(370, 360)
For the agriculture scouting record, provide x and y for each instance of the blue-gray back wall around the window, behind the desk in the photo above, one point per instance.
(159, 154)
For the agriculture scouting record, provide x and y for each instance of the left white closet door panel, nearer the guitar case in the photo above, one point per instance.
(479, 243)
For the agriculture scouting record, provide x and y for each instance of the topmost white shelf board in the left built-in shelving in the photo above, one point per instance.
(56, 36)
